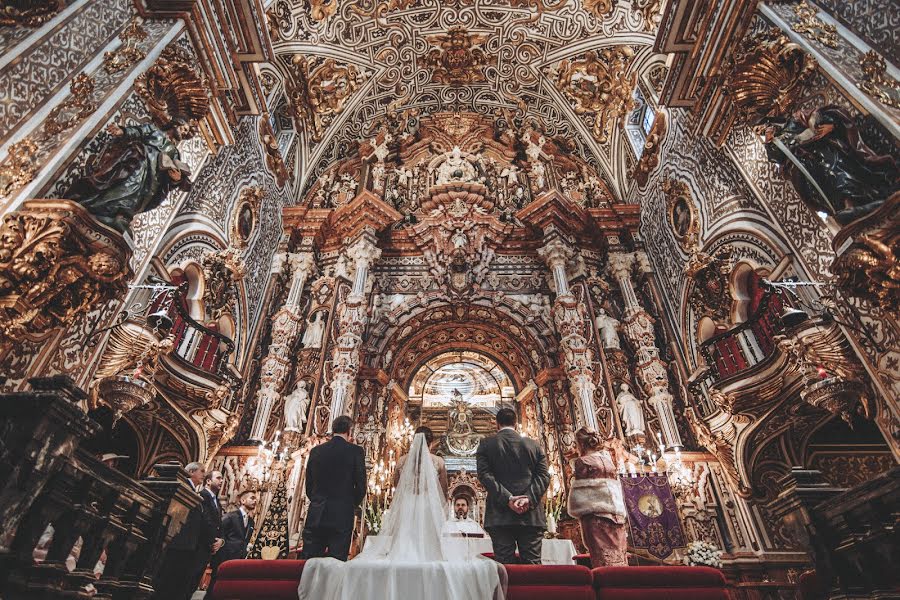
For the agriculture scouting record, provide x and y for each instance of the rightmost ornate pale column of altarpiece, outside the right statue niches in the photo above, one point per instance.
(650, 370)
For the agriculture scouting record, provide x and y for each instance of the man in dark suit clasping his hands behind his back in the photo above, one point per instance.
(513, 470)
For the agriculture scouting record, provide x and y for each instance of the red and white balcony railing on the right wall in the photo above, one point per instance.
(748, 344)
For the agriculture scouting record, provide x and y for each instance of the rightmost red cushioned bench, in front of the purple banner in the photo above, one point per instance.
(662, 582)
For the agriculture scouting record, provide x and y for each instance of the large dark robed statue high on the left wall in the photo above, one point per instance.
(133, 174)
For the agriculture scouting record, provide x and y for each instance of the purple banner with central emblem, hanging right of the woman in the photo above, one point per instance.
(652, 514)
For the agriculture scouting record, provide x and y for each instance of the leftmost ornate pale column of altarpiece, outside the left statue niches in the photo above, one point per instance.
(286, 326)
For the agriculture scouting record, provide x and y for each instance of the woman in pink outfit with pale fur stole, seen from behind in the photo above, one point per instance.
(596, 498)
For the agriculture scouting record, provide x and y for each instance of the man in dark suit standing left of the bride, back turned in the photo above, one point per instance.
(335, 485)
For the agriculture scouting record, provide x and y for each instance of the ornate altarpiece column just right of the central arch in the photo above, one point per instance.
(569, 316)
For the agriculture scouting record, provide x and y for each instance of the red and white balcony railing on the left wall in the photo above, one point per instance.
(199, 346)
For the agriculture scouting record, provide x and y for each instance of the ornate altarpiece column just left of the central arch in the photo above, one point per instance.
(351, 325)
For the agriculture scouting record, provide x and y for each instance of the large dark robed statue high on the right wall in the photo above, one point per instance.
(831, 167)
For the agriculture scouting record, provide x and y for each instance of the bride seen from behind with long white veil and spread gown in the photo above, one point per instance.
(410, 558)
